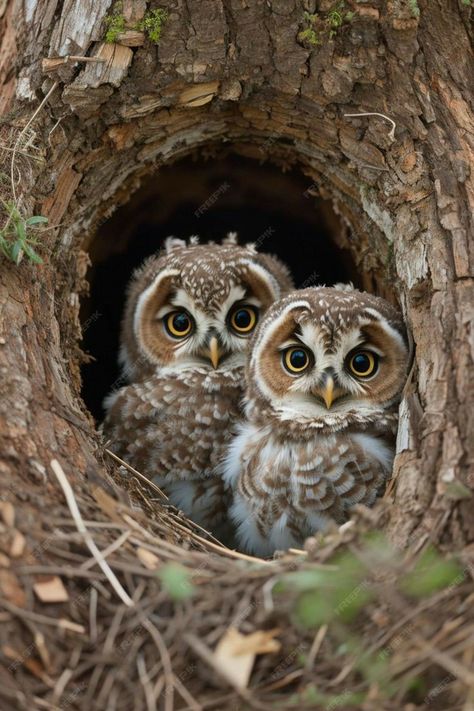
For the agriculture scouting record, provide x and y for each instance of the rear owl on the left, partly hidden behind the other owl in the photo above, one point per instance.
(189, 313)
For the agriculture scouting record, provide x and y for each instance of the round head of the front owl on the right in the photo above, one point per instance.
(327, 358)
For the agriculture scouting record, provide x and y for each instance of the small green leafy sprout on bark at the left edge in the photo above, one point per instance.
(17, 236)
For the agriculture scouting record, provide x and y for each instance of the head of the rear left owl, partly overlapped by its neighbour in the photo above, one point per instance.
(196, 305)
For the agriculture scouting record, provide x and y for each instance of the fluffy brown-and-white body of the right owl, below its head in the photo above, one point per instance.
(285, 491)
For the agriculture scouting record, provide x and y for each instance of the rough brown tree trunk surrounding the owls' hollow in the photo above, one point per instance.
(276, 79)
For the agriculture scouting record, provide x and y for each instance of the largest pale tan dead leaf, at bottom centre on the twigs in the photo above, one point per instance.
(235, 653)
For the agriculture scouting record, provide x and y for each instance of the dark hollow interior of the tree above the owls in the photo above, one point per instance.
(277, 209)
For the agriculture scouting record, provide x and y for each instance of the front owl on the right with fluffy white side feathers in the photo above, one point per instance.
(325, 373)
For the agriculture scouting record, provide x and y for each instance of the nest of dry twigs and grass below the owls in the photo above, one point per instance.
(112, 600)
